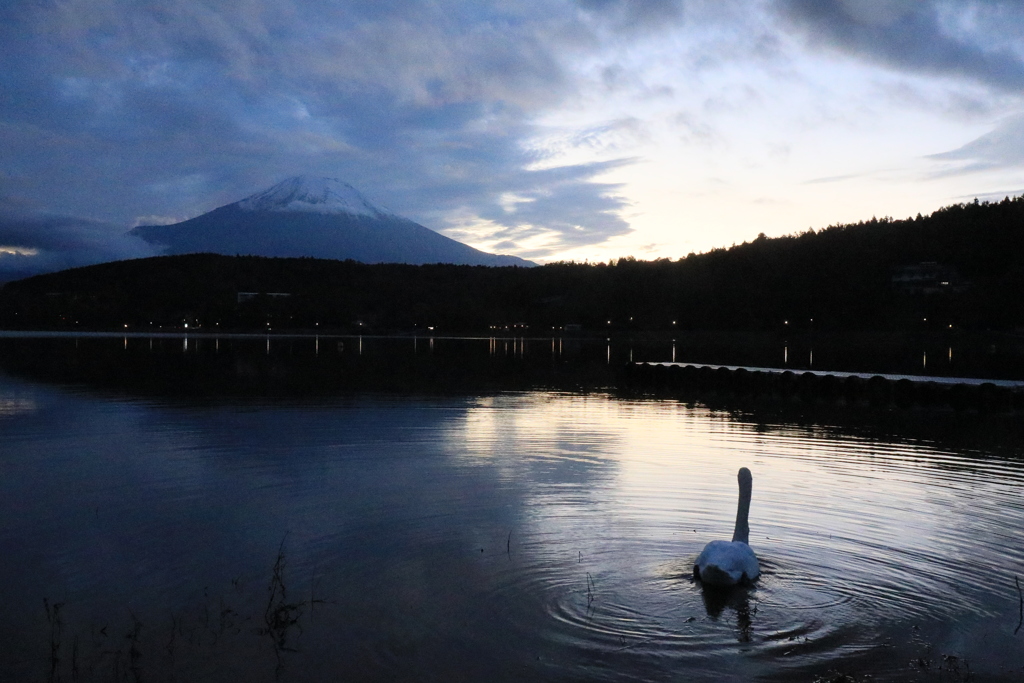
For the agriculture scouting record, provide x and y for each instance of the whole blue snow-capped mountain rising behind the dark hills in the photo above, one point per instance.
(319, 218)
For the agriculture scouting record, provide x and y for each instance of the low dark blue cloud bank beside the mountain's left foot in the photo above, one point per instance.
(31, 245)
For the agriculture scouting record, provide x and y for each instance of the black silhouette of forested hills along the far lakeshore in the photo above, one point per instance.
(963, 266)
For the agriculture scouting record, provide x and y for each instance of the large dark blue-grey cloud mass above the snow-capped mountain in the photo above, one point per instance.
(114, 110)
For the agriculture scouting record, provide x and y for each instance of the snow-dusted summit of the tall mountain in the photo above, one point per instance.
(307, 194)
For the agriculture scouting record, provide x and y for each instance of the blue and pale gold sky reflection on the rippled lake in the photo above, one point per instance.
(507, 537)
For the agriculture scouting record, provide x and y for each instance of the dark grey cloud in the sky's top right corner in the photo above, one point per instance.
(974, 39)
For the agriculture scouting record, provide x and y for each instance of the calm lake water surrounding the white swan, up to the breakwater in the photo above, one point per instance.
(513, 528)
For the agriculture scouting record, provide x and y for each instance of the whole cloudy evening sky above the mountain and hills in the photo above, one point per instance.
(550, 130)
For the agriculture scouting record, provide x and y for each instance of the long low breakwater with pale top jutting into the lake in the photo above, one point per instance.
(873, 389)
